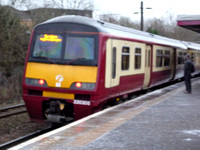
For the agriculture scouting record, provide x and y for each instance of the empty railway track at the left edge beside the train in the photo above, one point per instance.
(12, 110)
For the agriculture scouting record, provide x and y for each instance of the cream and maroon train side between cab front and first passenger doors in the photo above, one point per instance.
(124, 72)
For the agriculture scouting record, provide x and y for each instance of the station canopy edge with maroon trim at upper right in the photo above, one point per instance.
(191, 22)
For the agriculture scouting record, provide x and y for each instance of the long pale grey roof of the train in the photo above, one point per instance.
(121, 31)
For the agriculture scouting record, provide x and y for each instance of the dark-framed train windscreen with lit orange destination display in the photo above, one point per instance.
(64, 49)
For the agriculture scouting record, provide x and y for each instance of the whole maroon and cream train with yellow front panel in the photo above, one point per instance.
(76, 65)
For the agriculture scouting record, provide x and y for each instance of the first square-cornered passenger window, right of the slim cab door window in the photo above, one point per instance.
(125, 58)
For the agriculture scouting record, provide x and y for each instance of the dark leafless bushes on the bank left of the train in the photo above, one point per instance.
(13, 47)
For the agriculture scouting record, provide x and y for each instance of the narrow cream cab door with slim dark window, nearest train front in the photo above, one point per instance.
(112, 75)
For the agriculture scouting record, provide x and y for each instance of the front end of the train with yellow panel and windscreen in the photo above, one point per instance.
(61, 72)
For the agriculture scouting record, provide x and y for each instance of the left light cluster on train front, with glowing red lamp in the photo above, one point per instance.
(36, 82)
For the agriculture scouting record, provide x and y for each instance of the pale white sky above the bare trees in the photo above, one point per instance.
(160, 8)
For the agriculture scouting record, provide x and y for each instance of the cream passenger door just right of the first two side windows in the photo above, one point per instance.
(147, 69)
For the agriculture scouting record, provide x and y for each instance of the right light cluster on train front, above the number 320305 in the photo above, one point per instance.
(83, 86)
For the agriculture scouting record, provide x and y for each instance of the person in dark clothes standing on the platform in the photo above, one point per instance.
(188, 69)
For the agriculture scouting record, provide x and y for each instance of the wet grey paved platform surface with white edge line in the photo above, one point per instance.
(166, 119)
